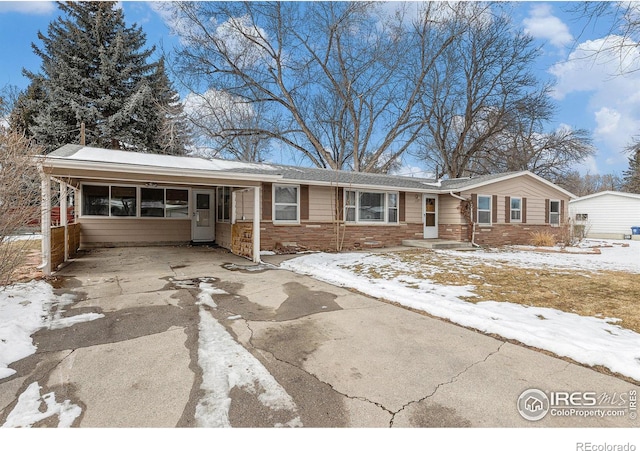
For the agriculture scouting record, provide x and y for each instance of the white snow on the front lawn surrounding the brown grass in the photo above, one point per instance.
(589, 340)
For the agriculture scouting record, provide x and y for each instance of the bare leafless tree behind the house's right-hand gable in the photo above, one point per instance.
(486, 111)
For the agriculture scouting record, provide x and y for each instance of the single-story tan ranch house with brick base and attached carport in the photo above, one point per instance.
(127, 198)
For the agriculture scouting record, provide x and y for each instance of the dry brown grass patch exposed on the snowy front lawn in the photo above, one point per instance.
(612, 294)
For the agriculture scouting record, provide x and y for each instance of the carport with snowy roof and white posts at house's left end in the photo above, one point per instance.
(117, 198)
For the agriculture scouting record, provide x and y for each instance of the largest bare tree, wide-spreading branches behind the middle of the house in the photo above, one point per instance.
(338, 82)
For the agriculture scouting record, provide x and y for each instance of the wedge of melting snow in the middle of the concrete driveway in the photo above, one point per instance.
(227, 364)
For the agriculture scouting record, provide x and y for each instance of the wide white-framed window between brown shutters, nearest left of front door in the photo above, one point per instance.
(371, 206)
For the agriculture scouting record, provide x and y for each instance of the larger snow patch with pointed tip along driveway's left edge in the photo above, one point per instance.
(24, 309)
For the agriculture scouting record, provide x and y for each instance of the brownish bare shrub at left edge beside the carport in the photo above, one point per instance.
(19, 197)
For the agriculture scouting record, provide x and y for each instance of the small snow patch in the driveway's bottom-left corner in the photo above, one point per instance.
(29, 410)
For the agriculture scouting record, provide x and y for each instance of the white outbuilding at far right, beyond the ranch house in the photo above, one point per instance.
(609, 215)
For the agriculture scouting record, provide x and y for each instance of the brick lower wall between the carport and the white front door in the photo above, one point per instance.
(322, 236)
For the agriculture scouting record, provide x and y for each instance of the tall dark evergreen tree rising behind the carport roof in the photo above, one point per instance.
(95, 70)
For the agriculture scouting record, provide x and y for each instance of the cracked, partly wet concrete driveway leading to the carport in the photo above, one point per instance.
(340, 359)
